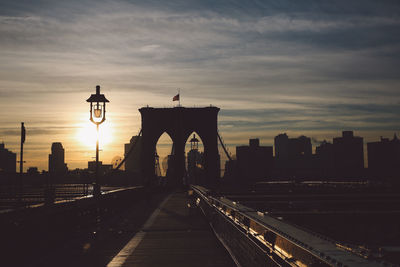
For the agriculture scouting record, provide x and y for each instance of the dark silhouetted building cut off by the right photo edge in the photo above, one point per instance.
(384, 157)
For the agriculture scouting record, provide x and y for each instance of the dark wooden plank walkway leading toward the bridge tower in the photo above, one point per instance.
(174, 236)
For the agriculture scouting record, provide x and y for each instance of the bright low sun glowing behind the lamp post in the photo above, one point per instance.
(87, 134)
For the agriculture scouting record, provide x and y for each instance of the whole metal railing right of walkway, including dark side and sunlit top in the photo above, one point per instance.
(257, 239)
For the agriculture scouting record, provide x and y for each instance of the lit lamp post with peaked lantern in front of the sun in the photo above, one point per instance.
(97, 116)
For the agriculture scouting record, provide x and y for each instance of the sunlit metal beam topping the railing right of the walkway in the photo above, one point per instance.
(259, 225)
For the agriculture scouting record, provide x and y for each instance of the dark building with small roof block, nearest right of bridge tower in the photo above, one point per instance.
(254, 162)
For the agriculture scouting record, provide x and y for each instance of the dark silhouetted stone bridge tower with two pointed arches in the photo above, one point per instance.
(179, 123)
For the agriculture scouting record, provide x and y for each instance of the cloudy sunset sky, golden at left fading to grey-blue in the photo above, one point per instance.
(310, 68)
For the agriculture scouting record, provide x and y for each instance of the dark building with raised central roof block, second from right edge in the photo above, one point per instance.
(348, 155)
